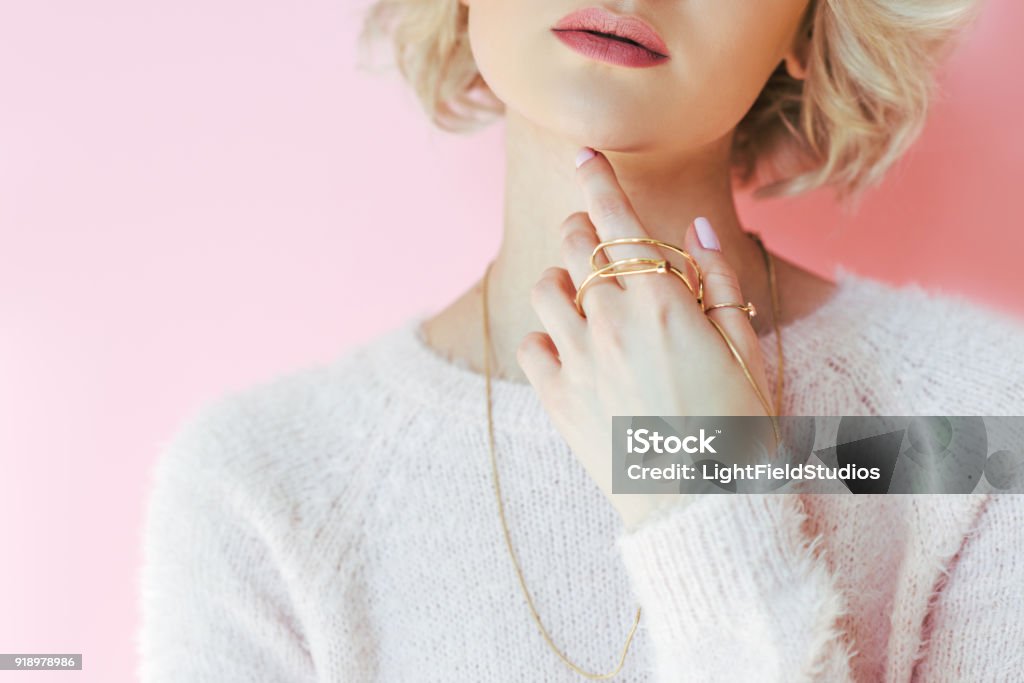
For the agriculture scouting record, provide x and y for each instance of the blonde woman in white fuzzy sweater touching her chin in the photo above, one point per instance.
(355, 523)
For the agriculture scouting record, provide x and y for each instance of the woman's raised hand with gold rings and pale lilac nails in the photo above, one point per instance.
(646, 347)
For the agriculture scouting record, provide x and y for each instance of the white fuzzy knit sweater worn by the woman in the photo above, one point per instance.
(338, 525)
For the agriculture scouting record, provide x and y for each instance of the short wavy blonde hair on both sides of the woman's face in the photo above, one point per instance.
(864, 102)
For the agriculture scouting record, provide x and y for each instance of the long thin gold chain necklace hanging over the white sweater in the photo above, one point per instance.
(771, 266)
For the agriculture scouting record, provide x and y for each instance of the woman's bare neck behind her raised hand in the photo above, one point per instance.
(667, 190)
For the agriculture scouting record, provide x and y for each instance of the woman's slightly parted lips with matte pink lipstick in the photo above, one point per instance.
(626, 41)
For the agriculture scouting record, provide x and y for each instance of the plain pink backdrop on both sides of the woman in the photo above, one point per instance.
(192, 200)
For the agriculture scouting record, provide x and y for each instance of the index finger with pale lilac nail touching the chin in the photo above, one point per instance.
(609, 207)
